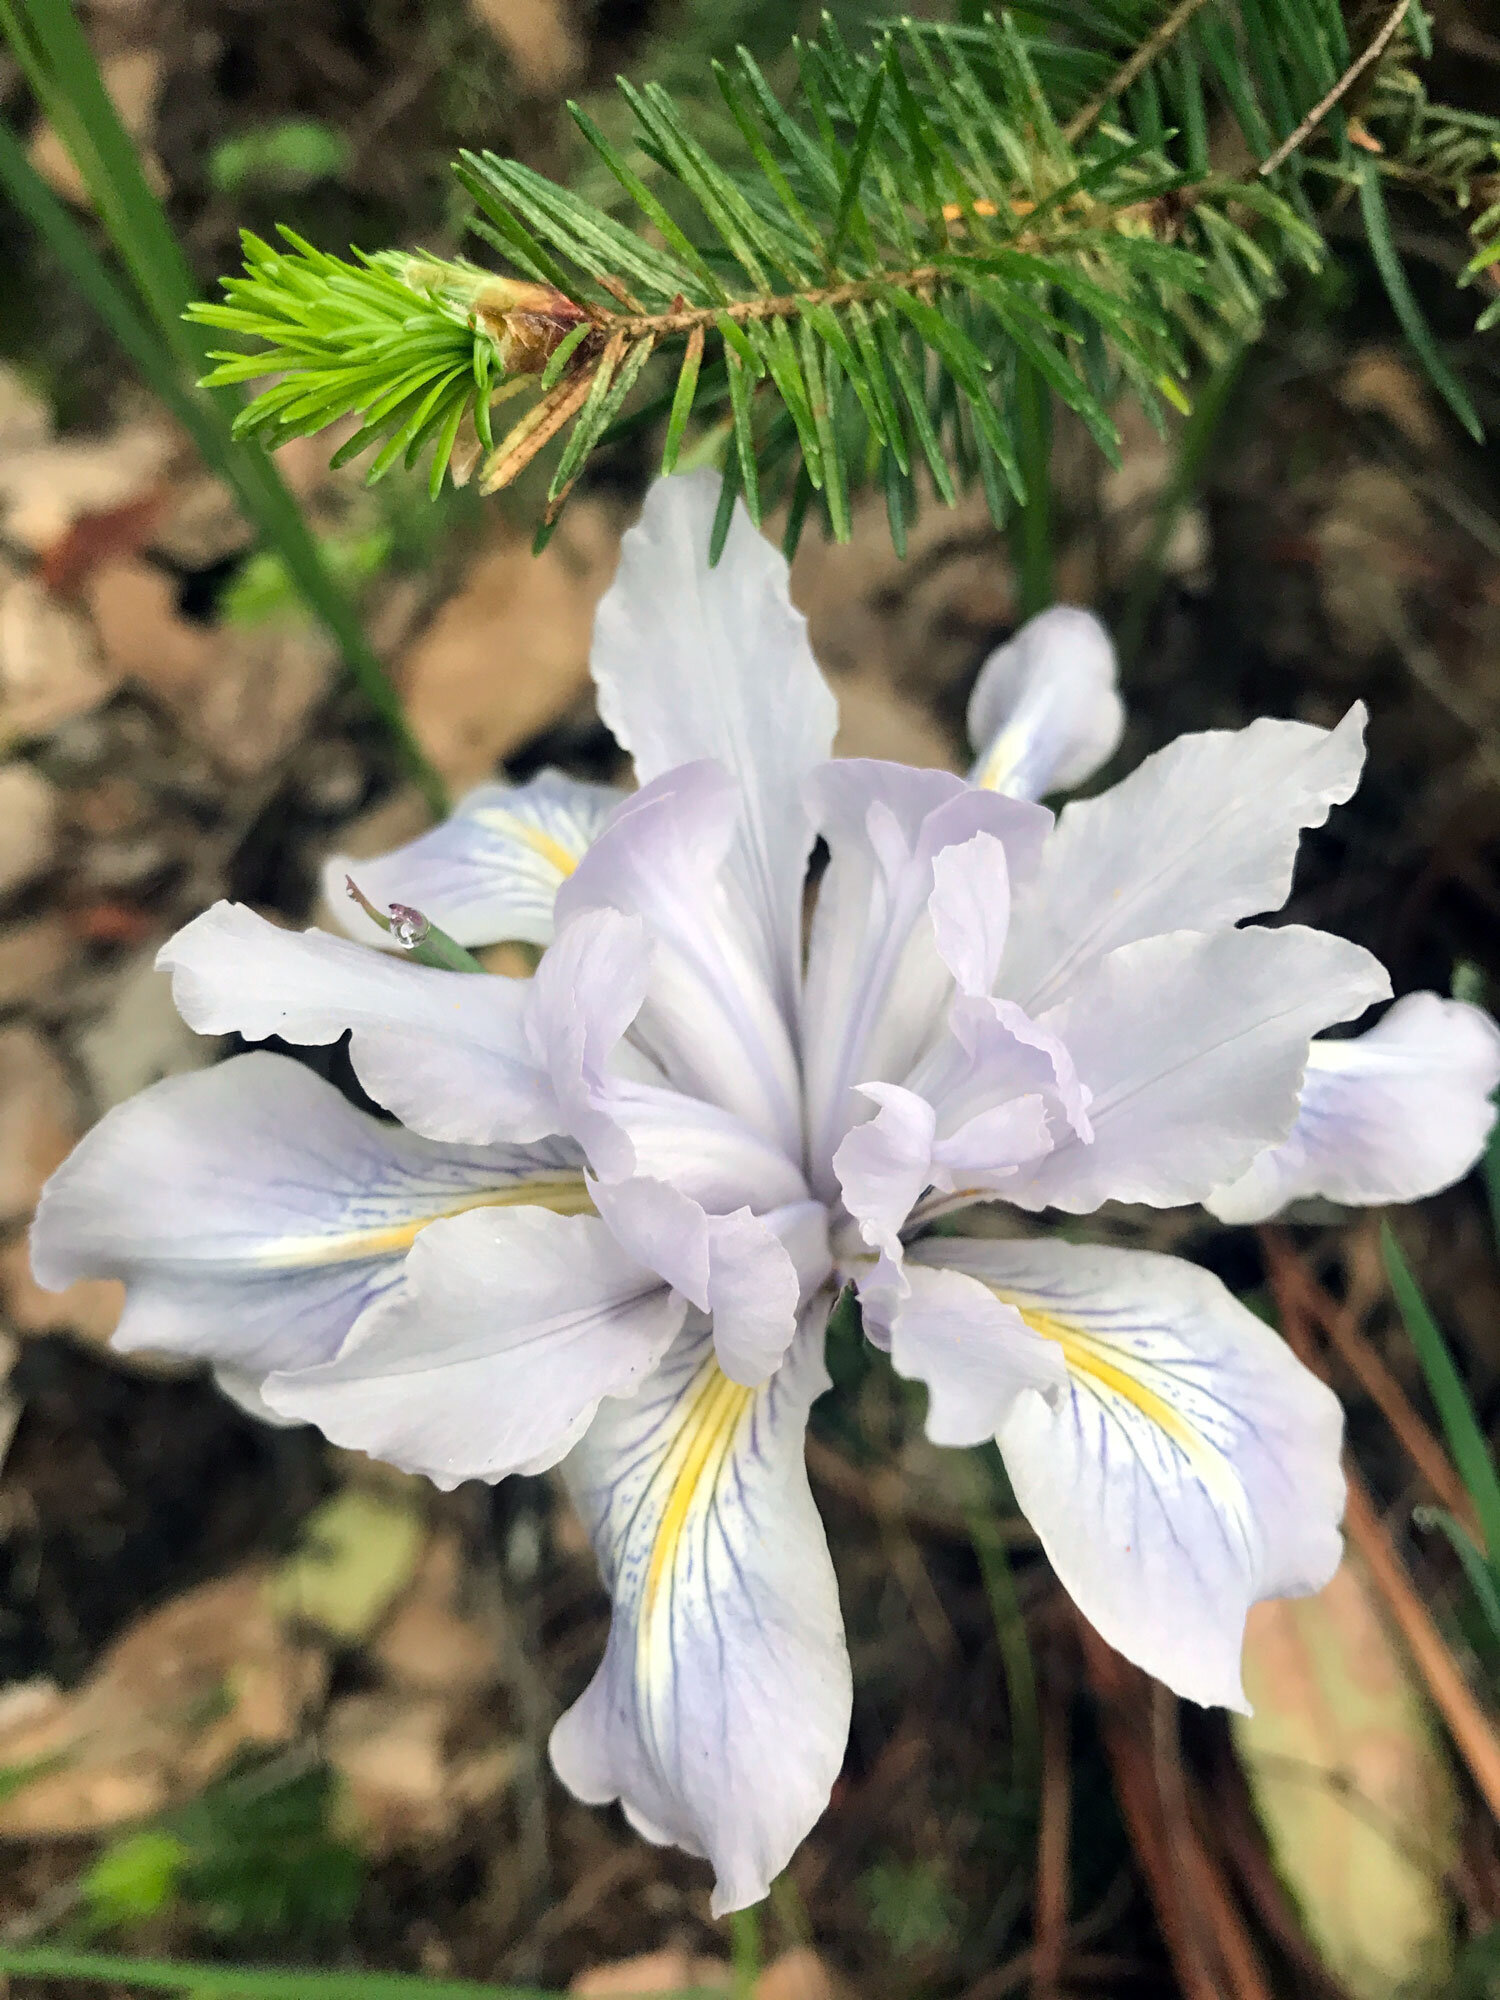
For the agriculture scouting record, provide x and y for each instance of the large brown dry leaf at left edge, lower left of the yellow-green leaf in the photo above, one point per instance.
(171, 1707)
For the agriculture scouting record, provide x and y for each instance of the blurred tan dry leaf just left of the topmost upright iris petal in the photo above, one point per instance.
(509, 655)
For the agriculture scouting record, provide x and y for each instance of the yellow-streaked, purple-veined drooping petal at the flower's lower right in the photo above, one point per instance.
(1189, 1471)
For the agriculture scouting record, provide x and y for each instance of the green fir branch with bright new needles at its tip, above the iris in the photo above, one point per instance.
(893, 275)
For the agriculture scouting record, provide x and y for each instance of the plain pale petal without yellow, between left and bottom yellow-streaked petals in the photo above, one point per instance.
(497, 1351)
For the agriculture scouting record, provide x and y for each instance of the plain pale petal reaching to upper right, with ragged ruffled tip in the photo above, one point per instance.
(1195, 839)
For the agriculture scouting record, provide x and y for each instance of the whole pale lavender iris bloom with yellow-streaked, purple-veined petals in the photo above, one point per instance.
(621, 1197)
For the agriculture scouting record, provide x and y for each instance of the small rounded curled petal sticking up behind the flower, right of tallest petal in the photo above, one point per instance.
(1045, 711)
